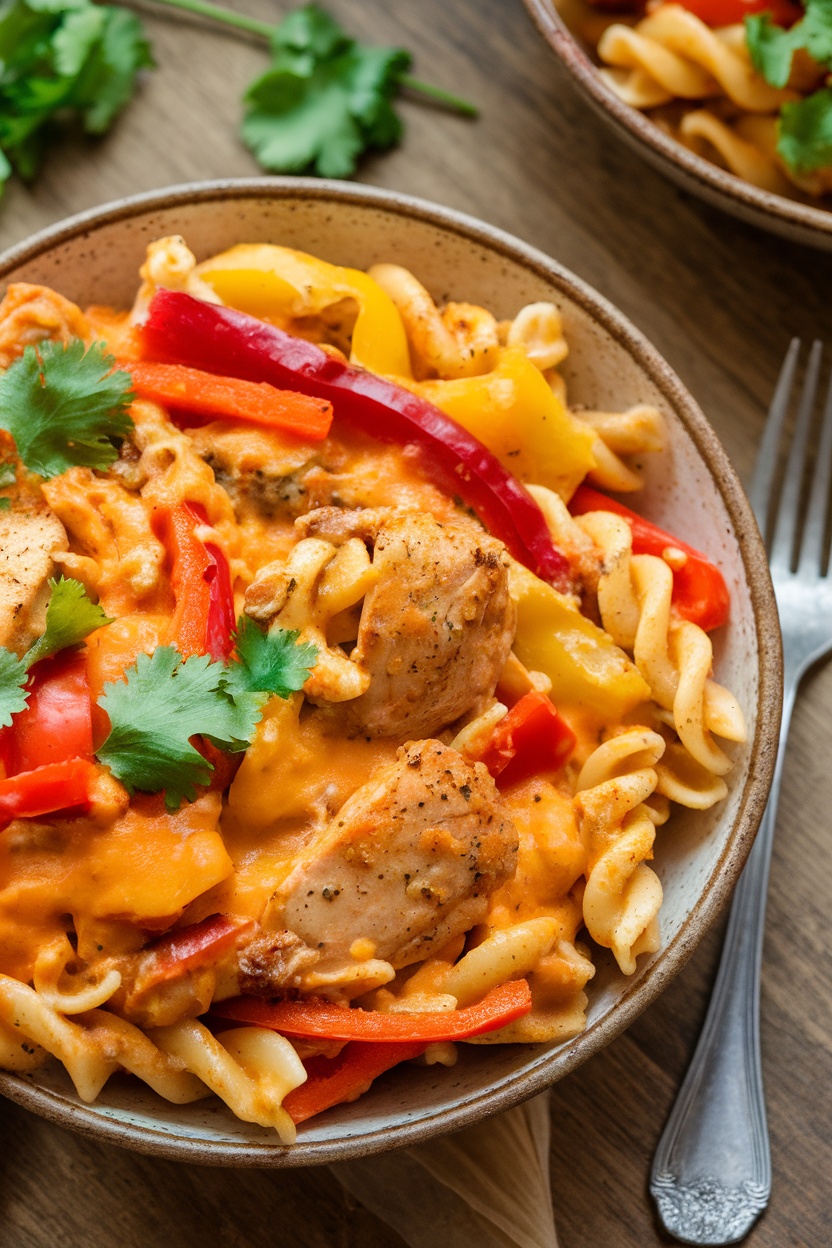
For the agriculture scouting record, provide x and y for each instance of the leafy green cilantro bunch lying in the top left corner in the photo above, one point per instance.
(62, 58)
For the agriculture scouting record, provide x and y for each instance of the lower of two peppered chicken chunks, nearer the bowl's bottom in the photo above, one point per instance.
(407, 864)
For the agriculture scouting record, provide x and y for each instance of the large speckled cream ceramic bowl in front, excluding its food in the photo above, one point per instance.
(692, 490)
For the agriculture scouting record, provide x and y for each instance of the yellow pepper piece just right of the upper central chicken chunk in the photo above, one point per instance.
(583, 662)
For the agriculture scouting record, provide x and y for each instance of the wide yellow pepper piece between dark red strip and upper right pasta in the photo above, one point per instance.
(515, 411)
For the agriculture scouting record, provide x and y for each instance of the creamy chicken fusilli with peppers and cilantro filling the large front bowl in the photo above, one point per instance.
(341, 703)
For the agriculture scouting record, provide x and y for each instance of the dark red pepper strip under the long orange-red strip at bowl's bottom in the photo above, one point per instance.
(336, 1080)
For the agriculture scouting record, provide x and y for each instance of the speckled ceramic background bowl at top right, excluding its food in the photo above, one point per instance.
(791, 219)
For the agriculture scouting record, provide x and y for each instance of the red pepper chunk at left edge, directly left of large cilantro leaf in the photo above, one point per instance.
(58, 721)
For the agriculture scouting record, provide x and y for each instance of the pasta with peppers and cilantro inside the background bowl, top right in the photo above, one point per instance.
(742, 83)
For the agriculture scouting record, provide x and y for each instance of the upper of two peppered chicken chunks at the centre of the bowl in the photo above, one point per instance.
(436, 630)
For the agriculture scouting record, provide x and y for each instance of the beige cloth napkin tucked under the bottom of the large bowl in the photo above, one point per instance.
(485, 1187)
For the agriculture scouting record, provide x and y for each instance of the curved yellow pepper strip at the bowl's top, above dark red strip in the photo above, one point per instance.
(279, 284)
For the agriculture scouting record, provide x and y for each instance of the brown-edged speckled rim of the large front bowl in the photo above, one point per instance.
(763, 753)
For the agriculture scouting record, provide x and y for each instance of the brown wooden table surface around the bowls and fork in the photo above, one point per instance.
(720, 300)
